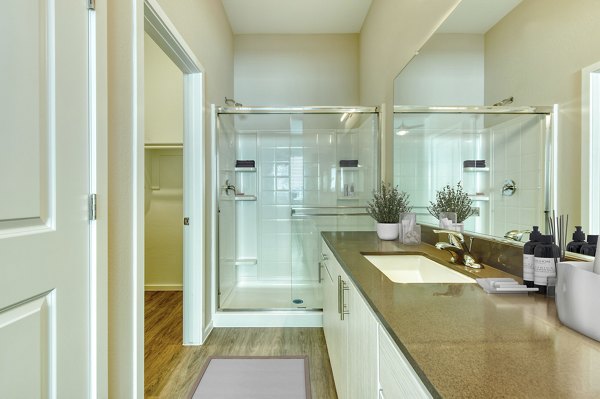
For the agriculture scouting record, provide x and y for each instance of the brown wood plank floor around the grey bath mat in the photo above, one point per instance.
(171, 369)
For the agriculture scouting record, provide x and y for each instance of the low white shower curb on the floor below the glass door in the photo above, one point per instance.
(268, 319)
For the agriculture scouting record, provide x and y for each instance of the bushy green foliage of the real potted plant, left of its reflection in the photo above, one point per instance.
(388, 203)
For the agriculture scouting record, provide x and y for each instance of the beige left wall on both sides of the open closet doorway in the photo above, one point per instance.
(205, 28)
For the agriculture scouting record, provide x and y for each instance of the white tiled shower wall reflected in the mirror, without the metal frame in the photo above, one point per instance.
(431, 156)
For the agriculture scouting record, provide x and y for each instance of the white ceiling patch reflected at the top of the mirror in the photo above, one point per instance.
(477, 16)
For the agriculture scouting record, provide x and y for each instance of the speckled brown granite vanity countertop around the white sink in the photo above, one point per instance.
(465, 343)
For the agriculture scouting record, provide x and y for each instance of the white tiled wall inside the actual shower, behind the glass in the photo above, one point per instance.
(297, 169)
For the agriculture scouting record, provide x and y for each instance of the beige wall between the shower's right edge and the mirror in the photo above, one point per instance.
(391, 34)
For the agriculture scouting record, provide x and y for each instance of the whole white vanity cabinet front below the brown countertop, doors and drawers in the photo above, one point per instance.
(366, 363)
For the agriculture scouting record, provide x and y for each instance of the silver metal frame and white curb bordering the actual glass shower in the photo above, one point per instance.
(269, 316)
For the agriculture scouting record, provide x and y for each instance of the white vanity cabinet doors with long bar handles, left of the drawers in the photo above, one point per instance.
(350, 331)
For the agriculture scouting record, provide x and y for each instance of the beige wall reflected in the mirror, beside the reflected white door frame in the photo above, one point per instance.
(536, 55)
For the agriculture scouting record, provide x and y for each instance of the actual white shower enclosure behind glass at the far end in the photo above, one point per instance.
(285, 175)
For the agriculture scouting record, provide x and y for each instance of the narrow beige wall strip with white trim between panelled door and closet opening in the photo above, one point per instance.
(125, 256)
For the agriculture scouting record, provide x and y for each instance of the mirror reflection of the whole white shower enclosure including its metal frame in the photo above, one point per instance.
(489, 150)
